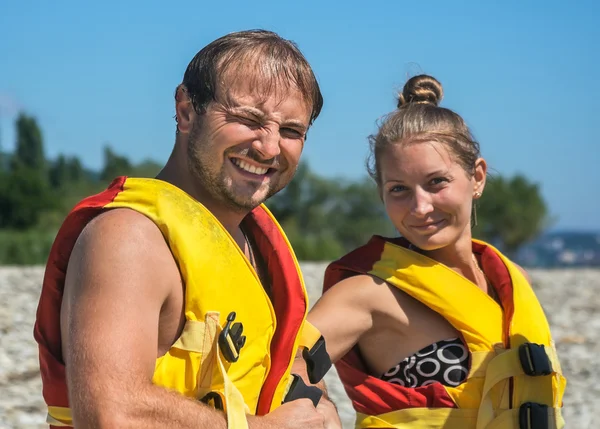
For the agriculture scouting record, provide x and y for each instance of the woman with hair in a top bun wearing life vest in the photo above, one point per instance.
(436, 329)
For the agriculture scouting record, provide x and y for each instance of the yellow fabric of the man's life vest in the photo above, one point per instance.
(219, 279)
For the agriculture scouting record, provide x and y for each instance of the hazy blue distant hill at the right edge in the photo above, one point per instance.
(562, 249)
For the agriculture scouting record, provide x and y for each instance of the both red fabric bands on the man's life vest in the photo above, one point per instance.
(289, 301)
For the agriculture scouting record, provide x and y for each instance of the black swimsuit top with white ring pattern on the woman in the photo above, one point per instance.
(446, 362)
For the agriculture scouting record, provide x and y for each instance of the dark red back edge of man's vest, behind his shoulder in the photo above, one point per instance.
(47, 325)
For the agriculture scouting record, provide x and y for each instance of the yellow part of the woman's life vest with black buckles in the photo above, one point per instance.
(515, 380)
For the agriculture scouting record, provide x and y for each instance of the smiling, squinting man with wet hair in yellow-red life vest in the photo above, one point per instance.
(176, 301)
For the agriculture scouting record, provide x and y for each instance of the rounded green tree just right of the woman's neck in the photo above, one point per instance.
(511, 212)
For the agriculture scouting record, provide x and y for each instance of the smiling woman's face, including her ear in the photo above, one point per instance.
(427, 194)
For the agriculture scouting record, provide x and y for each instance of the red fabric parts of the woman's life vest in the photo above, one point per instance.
(371, 395)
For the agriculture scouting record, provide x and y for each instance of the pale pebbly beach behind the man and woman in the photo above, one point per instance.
(571, 299)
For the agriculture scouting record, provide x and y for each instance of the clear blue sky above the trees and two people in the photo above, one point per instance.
(524, 75)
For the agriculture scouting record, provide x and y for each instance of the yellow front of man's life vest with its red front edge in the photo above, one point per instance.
(220, 283)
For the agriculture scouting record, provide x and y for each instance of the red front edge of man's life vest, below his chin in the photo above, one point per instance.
(287, 295)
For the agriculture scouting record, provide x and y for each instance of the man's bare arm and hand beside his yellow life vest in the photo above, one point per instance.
(120, 276)
